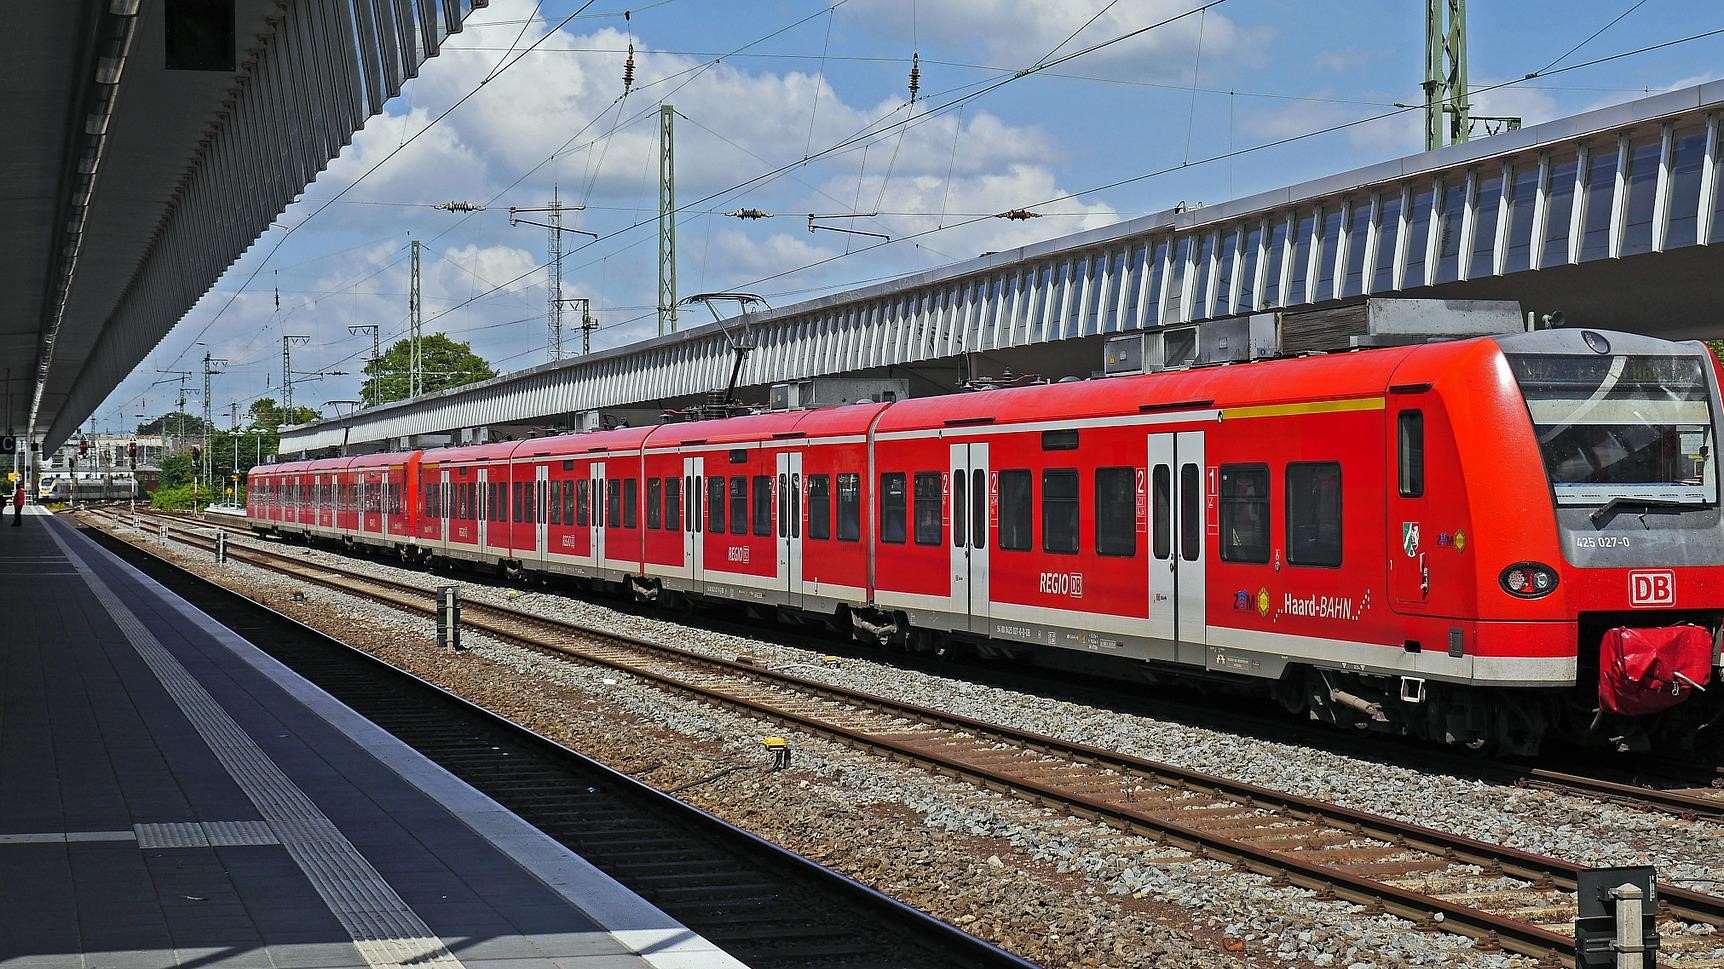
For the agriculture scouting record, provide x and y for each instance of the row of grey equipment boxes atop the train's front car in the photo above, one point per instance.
(1258, 337)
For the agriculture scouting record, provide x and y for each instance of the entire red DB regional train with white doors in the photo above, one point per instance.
(1452, 541)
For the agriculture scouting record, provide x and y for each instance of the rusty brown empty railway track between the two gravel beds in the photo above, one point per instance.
(1440, 882)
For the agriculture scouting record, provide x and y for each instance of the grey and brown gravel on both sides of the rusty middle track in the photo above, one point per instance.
(1058, 891)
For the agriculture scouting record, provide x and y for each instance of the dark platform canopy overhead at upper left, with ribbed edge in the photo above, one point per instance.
(149, 144)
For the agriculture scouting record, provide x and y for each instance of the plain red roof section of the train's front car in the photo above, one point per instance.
(1270, 382)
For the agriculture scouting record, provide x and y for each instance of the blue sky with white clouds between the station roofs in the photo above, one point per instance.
(804, 106)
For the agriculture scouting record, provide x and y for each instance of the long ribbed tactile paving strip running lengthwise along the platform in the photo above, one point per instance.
(385, 930)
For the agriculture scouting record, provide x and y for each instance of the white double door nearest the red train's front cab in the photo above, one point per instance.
(1177, 539)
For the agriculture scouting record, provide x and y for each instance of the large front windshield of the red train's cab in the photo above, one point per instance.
(1621, 427)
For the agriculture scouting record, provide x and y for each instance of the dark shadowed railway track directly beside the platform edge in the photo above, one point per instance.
(753, 899)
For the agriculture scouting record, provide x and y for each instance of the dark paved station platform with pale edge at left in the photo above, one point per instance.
(170, 796)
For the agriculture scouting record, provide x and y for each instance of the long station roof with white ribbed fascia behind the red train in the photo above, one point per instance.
(1613, 218)
